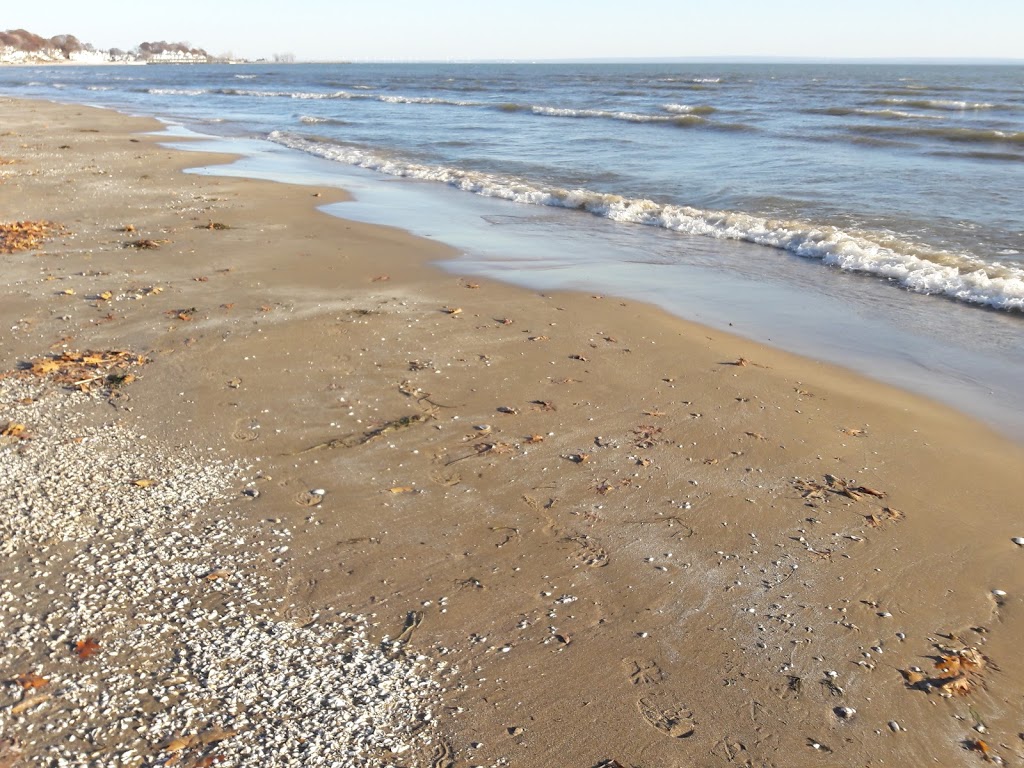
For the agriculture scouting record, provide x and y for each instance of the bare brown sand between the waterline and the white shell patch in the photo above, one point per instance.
(590, 505)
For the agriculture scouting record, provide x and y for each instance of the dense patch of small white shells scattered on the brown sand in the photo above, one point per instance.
(195, 665)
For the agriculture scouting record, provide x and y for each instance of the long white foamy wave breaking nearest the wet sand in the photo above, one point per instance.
(919, 270)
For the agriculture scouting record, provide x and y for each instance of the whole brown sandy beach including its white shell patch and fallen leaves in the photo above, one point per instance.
(279, 492)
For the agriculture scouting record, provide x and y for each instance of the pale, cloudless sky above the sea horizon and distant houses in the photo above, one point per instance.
(361, 30)
